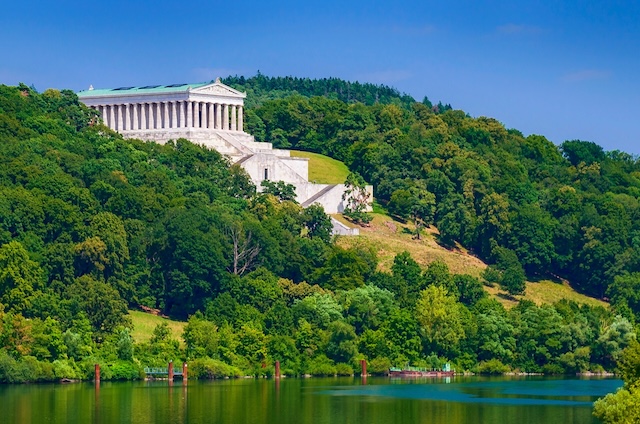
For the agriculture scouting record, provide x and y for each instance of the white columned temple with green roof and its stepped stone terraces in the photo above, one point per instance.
(210, 114)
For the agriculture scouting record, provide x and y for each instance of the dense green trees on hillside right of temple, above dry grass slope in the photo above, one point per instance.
(523, 204)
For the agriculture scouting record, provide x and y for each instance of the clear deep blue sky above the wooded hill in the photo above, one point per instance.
(563, 69)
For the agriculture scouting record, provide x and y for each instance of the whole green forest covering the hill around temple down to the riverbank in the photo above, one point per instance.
(92, 225)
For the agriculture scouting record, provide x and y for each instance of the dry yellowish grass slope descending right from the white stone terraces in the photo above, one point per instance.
(388, 238)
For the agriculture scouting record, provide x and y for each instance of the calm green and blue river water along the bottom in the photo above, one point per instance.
(332, 400)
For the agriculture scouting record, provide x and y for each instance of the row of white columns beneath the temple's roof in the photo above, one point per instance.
(173, 114)
